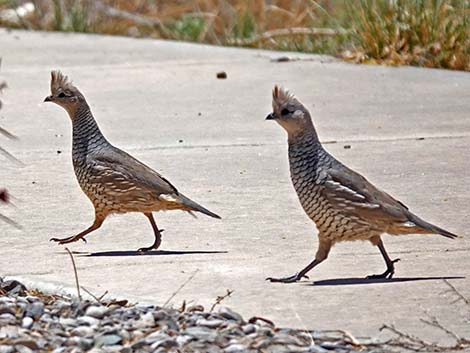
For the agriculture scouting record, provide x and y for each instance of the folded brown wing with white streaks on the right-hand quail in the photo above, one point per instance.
(354, 194)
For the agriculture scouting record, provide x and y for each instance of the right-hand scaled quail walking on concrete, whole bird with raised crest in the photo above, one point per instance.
(343, 204)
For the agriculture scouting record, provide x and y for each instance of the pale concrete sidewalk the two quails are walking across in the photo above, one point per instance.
(409, 132)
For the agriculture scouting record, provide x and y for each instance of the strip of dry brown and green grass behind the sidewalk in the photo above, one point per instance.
(431, 33)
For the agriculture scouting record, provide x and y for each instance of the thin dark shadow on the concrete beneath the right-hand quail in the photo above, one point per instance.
(359, 280)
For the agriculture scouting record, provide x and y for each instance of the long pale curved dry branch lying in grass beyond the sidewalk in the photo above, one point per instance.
(285, 32)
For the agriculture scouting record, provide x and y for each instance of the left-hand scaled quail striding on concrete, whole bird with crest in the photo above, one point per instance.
(113, 180)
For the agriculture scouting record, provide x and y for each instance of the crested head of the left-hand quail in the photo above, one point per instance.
(64, 93)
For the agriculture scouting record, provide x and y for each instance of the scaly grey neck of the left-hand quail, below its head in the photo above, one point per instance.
(86, 133)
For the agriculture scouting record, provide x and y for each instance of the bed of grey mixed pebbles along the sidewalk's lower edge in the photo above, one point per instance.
(31, 321)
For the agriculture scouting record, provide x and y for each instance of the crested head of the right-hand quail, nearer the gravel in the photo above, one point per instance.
(289, 112)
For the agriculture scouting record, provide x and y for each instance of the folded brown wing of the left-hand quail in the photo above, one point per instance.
(118, 167)
